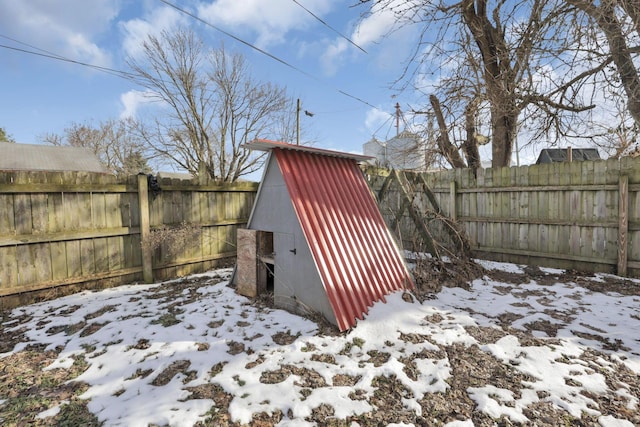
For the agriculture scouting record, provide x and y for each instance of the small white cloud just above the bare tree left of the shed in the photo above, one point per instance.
(137, 30)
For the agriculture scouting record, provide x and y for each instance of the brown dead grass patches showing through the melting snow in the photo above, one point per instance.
(29, 390)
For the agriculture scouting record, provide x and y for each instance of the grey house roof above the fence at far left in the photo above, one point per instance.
(31, 157)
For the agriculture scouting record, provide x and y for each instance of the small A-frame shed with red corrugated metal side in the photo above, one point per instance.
(316, 235)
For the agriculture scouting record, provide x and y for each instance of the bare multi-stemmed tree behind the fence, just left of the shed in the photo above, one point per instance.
(214, 106)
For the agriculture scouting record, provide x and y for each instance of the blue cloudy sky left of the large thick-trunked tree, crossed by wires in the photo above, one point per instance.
(41, 95)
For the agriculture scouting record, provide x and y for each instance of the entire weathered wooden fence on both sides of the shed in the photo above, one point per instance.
(80, 230)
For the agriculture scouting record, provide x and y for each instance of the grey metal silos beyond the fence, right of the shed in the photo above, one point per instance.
(403, 152)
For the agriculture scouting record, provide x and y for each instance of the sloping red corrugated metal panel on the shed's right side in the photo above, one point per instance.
(356, 255)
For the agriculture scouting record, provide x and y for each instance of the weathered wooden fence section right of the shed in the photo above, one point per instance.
(580, 215)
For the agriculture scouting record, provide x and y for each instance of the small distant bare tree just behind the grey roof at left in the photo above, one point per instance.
(113, 141)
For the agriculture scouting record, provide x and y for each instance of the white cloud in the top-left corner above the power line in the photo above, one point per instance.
(66, 27)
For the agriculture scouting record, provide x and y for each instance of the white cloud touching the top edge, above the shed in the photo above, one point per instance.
(270, 21)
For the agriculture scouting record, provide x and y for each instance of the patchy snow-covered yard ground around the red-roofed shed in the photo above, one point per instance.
(517, 347)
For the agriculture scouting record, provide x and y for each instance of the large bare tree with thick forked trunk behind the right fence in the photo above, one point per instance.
(499, 55)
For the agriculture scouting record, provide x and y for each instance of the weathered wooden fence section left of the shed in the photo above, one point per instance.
(80, 230)
